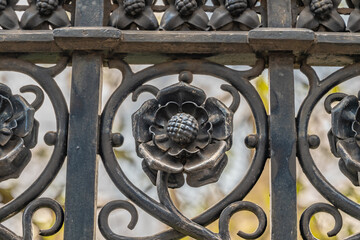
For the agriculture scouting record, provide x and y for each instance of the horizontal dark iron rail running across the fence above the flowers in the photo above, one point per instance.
(141, 47)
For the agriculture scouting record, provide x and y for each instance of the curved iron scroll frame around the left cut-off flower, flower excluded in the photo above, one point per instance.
(44, 77)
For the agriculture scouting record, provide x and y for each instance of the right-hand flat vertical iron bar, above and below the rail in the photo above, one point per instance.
(282, 130)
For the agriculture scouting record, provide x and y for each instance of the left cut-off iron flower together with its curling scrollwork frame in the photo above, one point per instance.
(18, 134)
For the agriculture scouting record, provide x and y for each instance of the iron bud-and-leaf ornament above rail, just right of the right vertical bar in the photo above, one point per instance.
(321, 15)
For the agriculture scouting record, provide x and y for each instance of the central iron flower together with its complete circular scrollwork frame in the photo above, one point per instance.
(182, 131)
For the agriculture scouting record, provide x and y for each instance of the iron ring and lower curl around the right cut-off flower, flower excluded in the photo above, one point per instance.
(317, 90)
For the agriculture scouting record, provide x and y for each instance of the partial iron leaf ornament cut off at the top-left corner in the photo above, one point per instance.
(8, 18)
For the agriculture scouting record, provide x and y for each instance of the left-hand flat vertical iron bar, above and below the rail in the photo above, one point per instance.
(85, 104)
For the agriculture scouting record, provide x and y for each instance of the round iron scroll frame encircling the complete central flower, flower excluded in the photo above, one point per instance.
(165, 211)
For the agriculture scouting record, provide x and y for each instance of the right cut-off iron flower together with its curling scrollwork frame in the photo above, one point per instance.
(342, 137)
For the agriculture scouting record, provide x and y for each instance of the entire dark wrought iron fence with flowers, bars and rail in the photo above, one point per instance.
(181, 134)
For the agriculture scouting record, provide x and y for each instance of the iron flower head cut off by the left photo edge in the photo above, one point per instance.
(18, 133)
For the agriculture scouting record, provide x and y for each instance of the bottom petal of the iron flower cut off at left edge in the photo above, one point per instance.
(14, 156)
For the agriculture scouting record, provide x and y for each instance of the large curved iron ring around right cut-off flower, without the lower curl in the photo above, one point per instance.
(317, 90)
